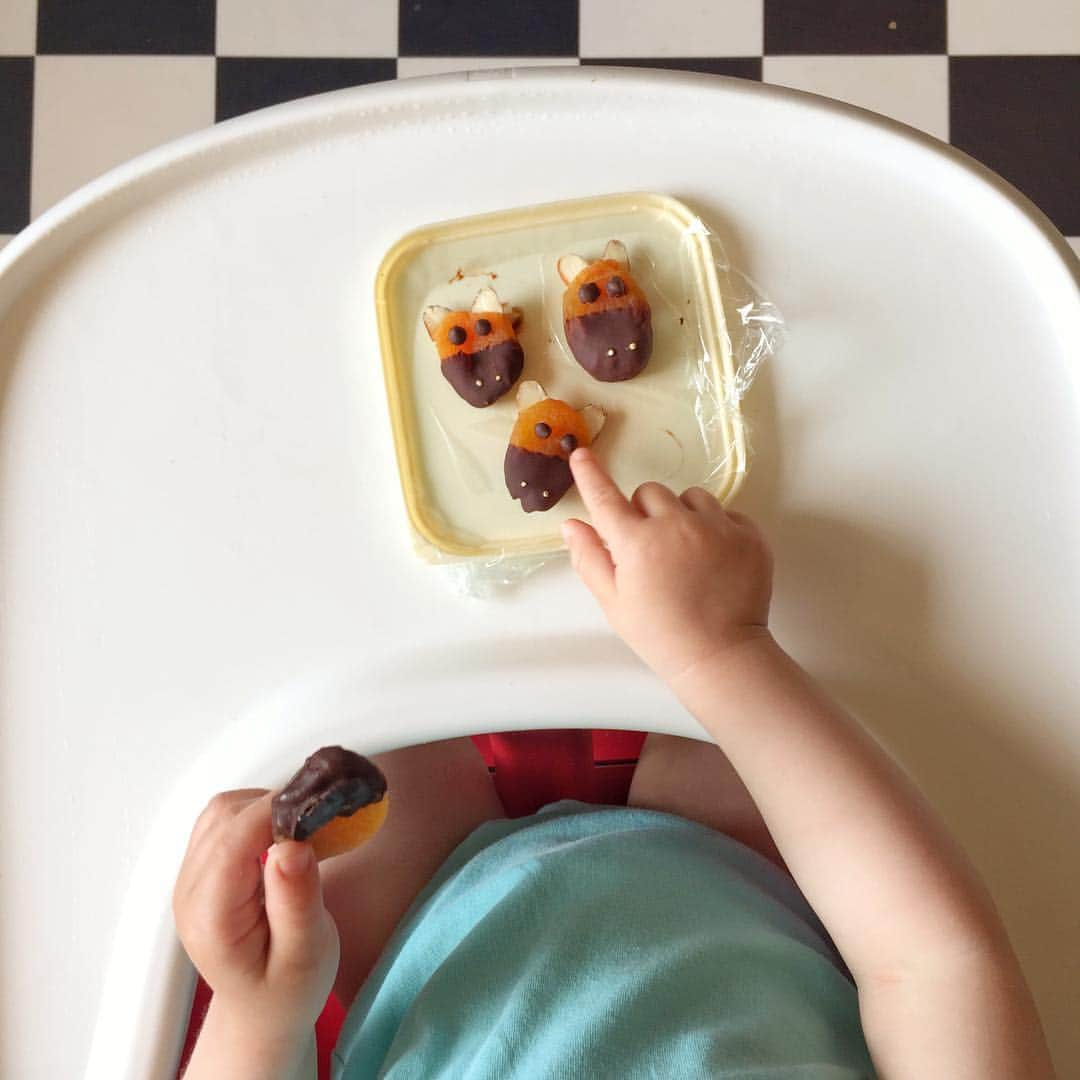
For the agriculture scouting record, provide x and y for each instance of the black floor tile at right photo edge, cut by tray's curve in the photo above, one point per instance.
(1015, 115)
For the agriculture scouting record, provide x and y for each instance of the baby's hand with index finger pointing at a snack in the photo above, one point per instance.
(681, 580)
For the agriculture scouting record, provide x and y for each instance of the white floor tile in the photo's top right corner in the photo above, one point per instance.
(1005, 28)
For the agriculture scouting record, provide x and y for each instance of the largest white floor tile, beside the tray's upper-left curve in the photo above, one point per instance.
(92, 113)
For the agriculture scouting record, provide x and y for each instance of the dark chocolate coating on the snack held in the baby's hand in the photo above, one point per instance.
(333, 784)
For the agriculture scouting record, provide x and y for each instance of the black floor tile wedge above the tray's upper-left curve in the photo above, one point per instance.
(247, 84)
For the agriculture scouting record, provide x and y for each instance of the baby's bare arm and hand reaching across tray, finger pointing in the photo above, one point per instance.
(688, 586)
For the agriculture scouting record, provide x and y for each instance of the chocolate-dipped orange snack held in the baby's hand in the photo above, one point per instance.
(336, 801)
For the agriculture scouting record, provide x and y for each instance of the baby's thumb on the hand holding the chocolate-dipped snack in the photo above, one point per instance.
(295, 910)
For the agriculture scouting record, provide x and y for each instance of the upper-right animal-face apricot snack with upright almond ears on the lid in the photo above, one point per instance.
(607, 319)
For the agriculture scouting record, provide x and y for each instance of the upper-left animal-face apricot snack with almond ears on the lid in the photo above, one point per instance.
(479, 349)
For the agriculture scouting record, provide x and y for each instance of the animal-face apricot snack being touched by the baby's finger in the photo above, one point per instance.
(537, 467)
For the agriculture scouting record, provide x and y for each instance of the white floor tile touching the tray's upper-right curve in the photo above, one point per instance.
(911, 89)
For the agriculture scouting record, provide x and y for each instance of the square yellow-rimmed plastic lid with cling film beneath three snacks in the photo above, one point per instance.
(679, 422)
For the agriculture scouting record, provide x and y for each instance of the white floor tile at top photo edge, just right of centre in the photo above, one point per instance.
(671, 29)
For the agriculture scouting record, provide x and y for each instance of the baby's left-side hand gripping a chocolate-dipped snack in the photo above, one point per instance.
(261, 938)
